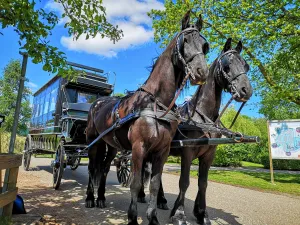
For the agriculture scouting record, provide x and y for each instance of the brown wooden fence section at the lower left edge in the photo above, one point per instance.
(9, 162)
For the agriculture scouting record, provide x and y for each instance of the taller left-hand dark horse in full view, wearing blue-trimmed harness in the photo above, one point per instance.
(145, 128)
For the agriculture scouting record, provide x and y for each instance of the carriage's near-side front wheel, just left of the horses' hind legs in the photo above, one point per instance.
(58, 166)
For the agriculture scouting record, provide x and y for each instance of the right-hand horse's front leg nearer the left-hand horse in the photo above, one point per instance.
(177, 213)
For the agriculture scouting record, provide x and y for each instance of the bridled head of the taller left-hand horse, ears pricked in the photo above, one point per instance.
(190, 50)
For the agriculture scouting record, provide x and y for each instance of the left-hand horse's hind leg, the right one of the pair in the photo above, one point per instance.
(111, 153)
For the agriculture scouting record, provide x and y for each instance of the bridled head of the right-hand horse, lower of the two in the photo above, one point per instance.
(232, 72)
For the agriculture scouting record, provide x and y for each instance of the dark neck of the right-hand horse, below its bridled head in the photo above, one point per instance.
(209, 99)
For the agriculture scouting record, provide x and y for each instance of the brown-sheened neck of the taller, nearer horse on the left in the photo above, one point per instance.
(163, 80)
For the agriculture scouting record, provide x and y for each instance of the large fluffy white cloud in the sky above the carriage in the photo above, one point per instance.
(129, 15)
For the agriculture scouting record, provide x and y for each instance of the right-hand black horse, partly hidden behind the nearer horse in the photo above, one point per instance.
(228, 72)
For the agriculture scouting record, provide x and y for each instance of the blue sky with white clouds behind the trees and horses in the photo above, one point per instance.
(129, 59)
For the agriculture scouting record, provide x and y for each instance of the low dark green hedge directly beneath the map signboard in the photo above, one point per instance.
(280, 164)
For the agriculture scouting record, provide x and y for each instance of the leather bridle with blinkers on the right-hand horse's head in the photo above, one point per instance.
(223, 75)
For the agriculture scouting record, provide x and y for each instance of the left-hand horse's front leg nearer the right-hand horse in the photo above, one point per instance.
(158, 162)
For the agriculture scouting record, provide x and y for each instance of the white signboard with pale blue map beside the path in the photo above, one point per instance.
(284, 139)
